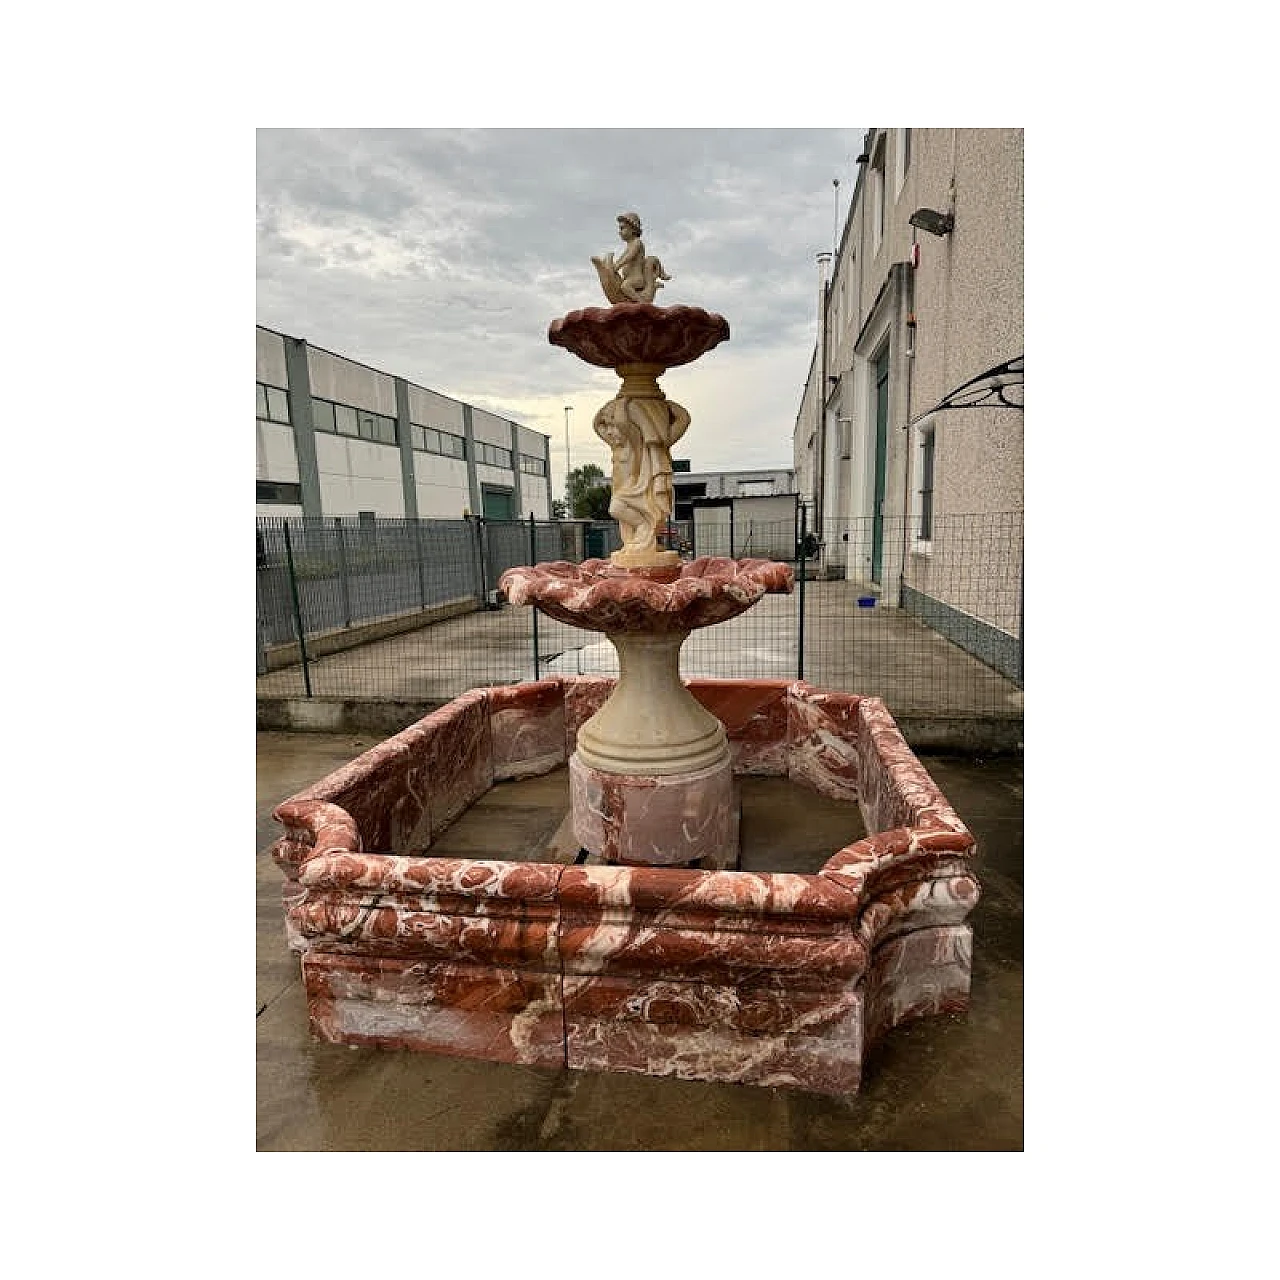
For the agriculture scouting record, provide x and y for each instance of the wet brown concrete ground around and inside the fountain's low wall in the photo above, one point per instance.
(950, 1084)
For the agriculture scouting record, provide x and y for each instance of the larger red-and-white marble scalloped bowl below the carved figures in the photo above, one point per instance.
(601, 597)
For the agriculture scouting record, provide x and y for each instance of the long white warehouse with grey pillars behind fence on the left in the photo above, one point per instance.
(339, 438)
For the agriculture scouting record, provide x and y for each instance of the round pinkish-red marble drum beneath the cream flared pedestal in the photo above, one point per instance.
(657, 821)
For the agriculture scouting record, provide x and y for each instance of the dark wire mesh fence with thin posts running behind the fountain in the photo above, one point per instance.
(409, 611)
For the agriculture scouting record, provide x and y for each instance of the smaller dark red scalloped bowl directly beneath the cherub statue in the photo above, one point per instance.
(639, 333)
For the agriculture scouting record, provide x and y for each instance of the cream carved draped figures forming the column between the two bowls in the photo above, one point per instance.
(641, 432)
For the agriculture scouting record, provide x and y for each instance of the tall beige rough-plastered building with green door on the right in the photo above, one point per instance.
(924, 294)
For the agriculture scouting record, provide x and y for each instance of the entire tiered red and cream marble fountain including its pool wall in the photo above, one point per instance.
(651, 953)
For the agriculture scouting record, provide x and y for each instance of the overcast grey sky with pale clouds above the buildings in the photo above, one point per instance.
(444, 255)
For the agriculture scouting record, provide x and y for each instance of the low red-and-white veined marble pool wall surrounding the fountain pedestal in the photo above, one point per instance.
(771, 980)
